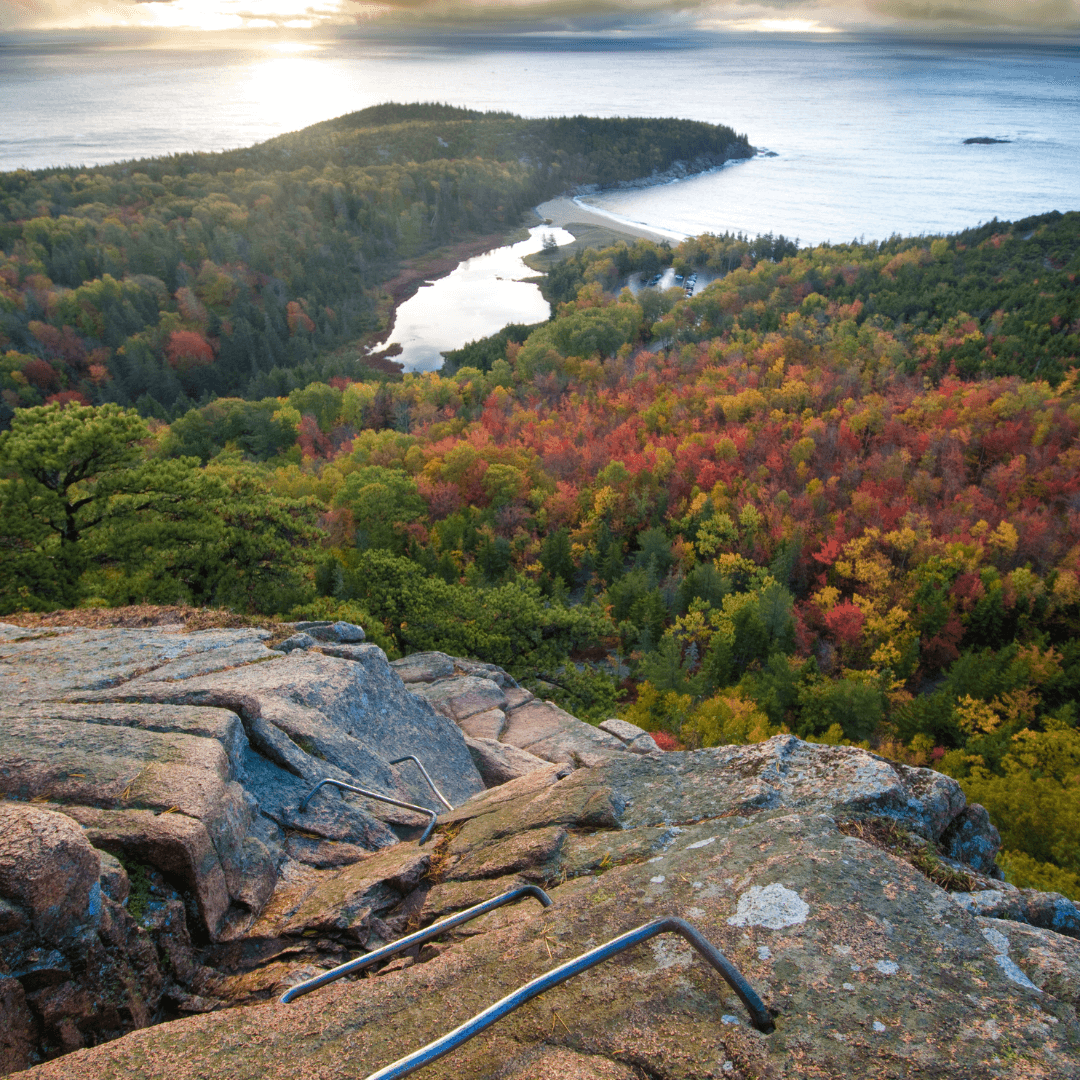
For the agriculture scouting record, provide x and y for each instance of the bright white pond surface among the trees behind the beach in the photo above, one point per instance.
(477, 300)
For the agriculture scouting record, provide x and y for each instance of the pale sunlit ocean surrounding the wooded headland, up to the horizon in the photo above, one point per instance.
(869, 133)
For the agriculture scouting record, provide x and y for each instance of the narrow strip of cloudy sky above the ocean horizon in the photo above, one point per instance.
(611, 17)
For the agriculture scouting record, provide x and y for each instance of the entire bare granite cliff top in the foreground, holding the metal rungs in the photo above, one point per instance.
(815, 869)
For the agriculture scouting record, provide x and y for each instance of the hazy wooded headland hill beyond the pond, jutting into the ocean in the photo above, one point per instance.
(164, 285)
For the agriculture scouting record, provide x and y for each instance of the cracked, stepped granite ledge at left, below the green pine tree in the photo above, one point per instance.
(187, 757)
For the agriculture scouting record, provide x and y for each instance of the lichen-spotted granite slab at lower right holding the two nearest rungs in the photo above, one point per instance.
(869, 967)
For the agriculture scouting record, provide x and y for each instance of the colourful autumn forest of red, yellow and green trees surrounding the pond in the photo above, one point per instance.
(838, 493)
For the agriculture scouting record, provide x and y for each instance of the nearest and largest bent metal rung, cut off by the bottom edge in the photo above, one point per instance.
(760, 1016)
